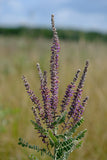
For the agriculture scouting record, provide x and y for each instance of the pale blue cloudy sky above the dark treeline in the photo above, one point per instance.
(74, 14)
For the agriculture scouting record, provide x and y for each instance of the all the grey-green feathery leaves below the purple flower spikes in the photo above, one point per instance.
(63, 143)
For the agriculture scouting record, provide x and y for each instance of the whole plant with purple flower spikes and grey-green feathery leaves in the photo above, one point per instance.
(56, 128)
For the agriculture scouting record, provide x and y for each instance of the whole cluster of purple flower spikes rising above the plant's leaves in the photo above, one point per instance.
(47, 113)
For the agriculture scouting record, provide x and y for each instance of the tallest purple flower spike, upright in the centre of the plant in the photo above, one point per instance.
(54, 69)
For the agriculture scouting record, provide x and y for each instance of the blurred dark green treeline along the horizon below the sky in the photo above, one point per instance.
(66, 34)
